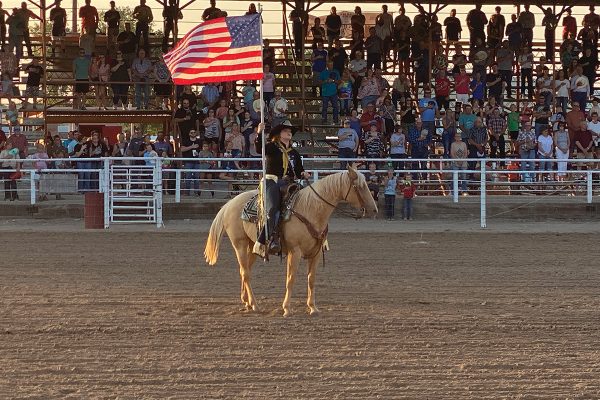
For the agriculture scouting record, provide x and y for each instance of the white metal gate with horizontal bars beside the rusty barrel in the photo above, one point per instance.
(135, 194)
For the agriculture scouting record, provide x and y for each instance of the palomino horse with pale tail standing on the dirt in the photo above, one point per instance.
(301, 236)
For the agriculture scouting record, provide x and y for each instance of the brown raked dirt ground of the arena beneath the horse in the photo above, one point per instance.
(424, 312)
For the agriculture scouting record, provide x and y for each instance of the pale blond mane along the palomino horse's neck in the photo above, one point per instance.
(334, 183)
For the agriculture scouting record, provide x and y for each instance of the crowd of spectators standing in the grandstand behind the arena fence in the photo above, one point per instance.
(466, 103)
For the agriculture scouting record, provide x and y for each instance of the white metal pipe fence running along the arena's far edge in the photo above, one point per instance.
(182, 178)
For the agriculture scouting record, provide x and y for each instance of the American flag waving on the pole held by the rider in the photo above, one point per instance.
(218, 50)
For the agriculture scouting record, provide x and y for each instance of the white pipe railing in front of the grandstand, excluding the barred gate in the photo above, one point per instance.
(437, 174)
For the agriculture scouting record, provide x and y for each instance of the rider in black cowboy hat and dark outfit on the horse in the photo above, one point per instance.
(282, 165)
